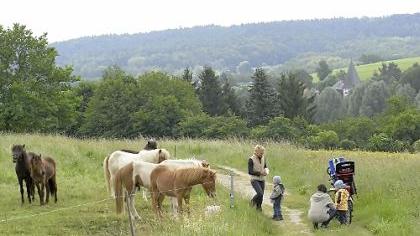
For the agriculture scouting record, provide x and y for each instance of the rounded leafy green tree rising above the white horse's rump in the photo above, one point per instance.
(111, 108)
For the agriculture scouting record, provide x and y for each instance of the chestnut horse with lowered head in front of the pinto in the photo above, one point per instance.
(178, 183)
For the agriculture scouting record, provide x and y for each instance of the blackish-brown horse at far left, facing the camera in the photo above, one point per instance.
(22, 168)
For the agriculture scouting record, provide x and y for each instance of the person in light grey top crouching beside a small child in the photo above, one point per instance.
(322, 208)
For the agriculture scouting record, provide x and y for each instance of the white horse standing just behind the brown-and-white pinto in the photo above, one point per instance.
(119, 159)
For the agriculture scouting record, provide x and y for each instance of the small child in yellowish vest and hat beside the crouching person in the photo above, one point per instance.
(341, 201)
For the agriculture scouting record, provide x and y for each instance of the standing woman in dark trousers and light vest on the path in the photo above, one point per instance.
(257, 169)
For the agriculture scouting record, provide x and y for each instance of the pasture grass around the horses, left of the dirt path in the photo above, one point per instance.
(80, 181)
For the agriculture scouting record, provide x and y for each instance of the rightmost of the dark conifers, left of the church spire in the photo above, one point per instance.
(291, 99)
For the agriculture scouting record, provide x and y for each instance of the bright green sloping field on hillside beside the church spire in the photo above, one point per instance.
(366, 71)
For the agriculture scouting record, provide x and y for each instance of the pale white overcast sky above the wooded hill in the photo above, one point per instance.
(64, 19)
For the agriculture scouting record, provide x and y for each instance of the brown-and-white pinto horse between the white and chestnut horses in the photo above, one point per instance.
(138, 173)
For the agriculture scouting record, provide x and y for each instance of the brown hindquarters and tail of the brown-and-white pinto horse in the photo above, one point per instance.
(122, 177)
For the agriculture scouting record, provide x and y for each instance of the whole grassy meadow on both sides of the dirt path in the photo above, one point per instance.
(387, 203)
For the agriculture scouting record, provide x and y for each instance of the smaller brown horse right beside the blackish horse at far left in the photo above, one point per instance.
(43, 173)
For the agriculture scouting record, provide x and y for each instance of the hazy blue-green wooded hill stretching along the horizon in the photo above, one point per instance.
(291, 44)
